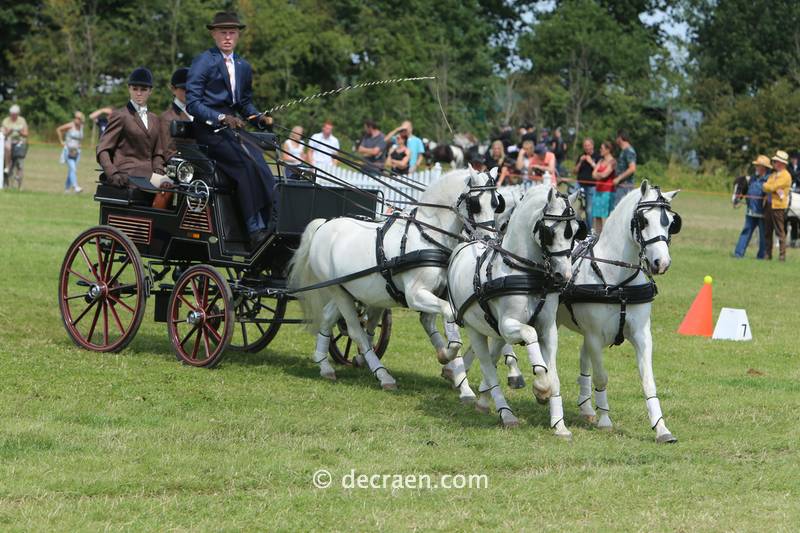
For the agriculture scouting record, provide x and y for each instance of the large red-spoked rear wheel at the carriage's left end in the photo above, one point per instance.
(102, 292)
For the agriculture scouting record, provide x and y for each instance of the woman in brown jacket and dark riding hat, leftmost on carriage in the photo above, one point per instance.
(131, 143)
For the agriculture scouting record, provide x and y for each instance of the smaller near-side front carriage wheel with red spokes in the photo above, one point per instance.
(200, 316)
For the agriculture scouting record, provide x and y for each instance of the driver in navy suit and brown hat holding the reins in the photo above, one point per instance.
(219, 93)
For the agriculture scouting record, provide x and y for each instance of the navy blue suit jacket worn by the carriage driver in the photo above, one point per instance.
(208, 87)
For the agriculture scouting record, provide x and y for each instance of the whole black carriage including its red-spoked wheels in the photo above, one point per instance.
(212, 289)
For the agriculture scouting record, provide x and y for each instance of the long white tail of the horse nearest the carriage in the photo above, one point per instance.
(302, 275)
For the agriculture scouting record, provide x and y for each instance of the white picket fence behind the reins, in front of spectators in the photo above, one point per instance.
(363, 181)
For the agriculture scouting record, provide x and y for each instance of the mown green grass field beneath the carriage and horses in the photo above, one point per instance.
(136, 441)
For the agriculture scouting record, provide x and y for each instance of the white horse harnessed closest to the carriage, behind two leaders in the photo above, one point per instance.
(343, 246)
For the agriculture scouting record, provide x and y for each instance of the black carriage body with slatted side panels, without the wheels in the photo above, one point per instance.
(216, 234)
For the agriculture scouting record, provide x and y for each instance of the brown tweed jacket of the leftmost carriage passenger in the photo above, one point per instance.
(128, 148)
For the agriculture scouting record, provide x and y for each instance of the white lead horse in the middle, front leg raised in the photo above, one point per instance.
(524, 310)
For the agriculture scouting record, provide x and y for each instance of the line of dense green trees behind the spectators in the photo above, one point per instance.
(589, 66)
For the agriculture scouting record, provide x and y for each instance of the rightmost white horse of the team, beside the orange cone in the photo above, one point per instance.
(637, 234)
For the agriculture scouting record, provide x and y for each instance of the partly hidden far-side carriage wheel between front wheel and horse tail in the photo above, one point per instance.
(257, 322)
